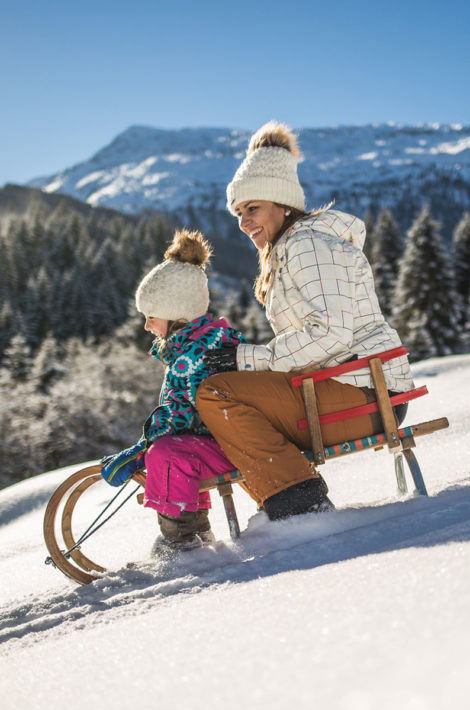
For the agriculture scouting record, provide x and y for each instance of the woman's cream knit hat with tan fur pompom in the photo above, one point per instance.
(269, 171)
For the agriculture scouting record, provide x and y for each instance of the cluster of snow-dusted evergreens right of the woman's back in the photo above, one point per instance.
(422, 287)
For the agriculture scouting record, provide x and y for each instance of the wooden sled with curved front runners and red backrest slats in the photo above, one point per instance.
(59, 516)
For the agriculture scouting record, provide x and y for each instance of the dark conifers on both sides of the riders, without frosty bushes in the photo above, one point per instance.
(64, 275)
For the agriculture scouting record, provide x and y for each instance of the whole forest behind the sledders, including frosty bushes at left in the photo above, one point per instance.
(75, 381)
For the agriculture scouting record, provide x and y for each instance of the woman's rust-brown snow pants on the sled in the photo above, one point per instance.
(253, 416)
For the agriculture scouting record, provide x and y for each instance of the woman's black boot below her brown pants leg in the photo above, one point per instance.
(306, 497)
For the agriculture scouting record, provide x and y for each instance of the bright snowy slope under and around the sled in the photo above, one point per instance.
(361, 608)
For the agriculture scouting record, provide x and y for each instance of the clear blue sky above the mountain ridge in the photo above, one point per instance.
(74, 74)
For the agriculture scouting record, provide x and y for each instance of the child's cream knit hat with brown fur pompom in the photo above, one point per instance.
(177, 288)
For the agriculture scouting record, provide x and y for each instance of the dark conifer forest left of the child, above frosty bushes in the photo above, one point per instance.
(64, 275)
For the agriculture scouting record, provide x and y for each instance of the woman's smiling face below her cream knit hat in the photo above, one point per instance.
(260, 220)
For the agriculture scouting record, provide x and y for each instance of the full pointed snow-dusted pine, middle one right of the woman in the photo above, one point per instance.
(425, 308)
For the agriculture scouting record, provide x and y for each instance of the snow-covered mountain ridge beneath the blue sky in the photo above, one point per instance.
(185, 172)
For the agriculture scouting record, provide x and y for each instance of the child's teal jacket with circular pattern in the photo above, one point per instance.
(184, 351)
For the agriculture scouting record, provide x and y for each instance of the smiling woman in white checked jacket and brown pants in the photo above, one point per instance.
(318, 291)
